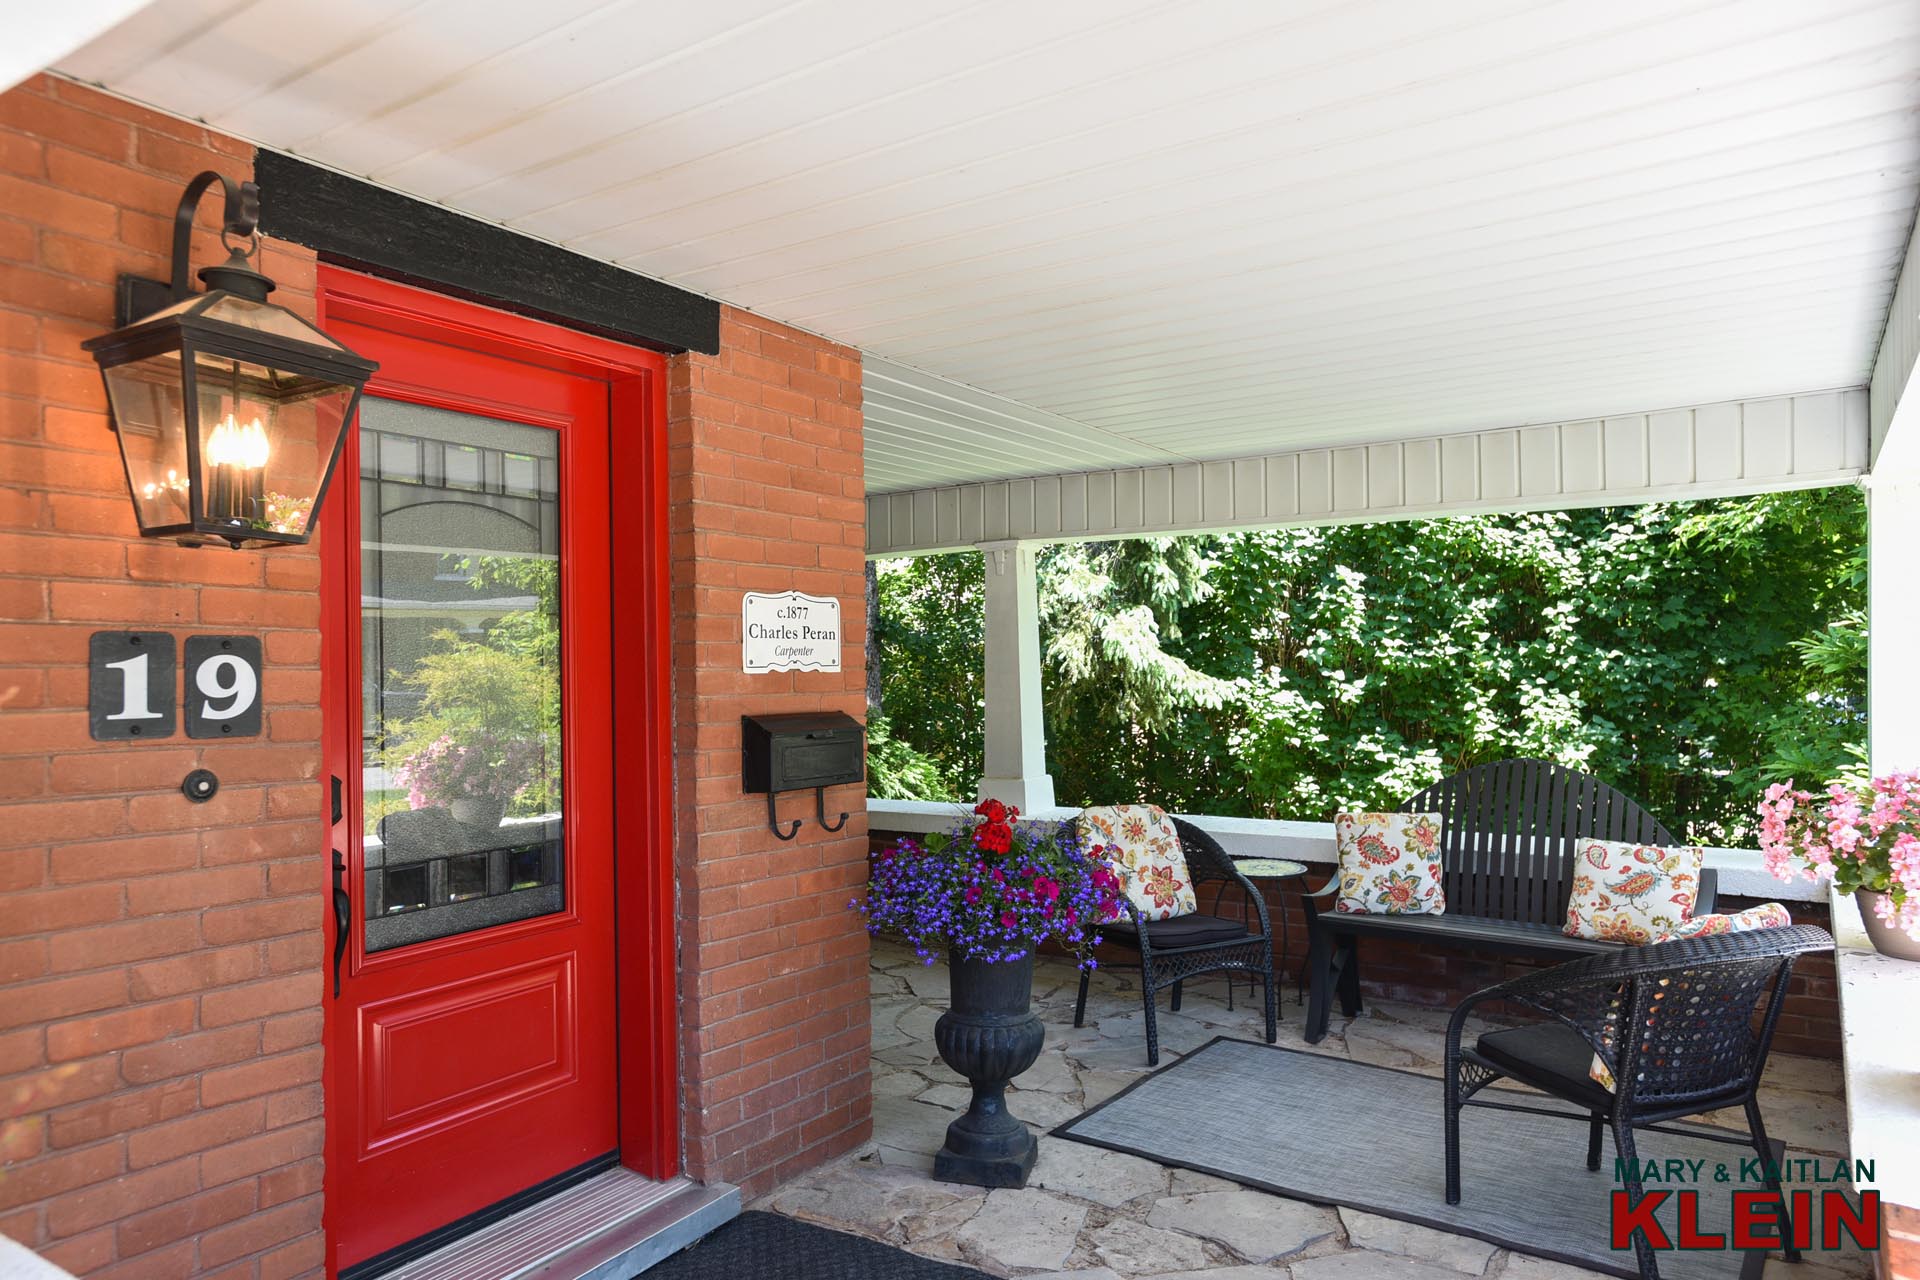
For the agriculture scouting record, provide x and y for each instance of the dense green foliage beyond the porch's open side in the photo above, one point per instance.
(1689, 653)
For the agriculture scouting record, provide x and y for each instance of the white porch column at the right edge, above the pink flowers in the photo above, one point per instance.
(1894, 621)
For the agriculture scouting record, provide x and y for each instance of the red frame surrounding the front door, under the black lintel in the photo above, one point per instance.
(642, 655)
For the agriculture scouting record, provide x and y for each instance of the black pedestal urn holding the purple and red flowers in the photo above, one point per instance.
(990, 1035)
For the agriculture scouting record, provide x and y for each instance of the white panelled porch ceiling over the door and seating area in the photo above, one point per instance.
(1088, 233)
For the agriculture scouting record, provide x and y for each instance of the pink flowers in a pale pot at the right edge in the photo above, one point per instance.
(1863, 840)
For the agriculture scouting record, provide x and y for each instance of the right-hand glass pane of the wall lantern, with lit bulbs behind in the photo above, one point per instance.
(266, 440)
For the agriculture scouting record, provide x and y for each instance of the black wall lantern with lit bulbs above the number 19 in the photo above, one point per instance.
(229, 410)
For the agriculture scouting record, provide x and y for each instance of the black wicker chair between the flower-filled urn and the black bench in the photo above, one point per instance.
(1174, 951)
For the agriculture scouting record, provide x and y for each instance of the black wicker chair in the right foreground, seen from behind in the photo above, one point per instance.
(1698, 1047)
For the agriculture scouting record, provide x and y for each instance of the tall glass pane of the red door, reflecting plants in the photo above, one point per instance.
(460, 673)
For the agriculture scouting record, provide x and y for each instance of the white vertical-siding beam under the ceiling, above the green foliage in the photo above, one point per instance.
(1783, 442)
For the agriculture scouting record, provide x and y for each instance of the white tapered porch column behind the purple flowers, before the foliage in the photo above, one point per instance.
(1017, 732)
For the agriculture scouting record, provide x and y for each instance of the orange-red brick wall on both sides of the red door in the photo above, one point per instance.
(162, 962)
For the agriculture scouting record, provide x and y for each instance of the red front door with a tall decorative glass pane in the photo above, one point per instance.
(471, 1045)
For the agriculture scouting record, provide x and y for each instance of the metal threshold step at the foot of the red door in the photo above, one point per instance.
(610, 1227)
